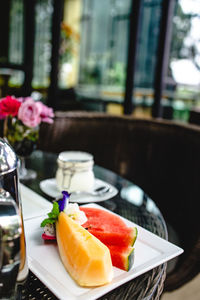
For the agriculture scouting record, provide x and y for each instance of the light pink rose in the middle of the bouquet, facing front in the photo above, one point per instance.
(29, 113)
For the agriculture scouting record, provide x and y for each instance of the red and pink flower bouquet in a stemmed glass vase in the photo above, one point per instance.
(22, 117)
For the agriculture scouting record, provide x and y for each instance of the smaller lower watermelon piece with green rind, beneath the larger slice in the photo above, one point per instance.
(122, 257)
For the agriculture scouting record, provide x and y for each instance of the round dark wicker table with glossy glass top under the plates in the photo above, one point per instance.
(132, 203)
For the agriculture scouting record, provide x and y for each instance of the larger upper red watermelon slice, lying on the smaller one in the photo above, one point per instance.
(109, 228)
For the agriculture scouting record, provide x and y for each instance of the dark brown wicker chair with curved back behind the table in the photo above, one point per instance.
(160, 156)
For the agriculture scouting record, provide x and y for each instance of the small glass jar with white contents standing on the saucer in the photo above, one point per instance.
(75, 171)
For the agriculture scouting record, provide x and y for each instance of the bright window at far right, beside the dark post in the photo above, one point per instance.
(184, 63)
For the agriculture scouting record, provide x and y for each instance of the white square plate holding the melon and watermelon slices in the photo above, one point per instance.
(45, 263)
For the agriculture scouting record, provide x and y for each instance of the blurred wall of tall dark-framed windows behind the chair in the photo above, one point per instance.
(118, 56)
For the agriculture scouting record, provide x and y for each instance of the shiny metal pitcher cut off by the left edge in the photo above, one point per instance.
(13, 262)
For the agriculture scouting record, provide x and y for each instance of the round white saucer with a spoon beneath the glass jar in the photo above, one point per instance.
(49, 187)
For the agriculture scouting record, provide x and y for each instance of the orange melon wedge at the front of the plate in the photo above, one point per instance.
(86, 259)
